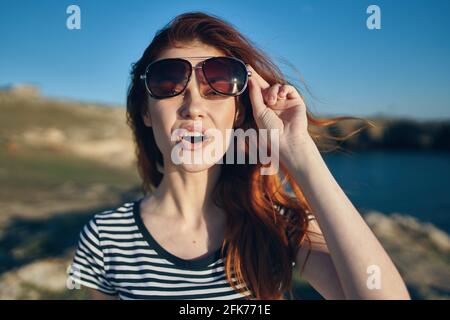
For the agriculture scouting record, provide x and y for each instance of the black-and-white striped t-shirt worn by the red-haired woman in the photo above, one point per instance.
(117, 255)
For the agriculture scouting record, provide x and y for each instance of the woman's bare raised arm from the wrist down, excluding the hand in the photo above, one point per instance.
(353, 248)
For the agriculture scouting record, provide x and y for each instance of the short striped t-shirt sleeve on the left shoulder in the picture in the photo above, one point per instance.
(87, 267)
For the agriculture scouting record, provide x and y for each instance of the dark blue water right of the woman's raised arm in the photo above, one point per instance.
(416, 183)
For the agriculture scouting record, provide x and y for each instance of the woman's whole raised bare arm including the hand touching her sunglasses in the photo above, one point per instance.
(353, 248)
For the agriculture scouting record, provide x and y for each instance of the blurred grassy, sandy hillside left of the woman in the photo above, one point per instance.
(59, 155)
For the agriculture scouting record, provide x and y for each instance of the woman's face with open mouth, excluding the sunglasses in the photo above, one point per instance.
(196, 109)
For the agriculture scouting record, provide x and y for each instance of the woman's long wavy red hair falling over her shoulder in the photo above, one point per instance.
(266, 224)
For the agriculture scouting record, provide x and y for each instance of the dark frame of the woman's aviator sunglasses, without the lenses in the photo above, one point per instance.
(205, 59)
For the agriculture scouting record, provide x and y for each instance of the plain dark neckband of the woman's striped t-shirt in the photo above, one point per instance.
(197, 263)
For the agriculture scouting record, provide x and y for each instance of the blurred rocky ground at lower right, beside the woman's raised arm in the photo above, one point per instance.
(420, 251)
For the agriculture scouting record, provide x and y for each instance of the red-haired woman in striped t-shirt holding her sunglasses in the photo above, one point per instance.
(220, 230)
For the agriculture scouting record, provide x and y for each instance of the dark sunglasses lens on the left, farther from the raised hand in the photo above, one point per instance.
(167, 78)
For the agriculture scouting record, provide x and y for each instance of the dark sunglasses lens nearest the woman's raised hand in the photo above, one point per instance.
(225, 75)
